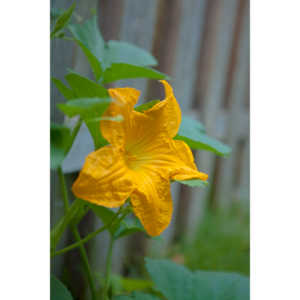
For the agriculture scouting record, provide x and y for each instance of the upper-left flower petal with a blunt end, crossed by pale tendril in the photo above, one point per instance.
(124, 101)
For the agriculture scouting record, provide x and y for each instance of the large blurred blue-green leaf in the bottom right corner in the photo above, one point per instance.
(178, 283)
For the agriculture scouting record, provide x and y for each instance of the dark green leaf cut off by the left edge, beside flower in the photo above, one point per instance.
(60, 137)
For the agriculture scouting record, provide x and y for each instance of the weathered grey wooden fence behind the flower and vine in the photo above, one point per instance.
(204, 46)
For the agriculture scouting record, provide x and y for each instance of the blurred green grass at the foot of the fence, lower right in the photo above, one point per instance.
(222, 242)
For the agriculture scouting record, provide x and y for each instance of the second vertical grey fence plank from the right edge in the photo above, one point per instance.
(211, 87)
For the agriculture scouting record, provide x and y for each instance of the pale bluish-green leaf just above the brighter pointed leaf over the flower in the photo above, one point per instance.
(122, 52)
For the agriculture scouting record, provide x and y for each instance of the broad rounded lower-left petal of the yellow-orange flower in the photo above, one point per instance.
(104, 178)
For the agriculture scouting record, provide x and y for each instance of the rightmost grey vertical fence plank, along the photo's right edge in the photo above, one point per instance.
(236, 100)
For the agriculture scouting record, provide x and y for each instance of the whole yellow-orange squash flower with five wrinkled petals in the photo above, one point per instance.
(140, 161)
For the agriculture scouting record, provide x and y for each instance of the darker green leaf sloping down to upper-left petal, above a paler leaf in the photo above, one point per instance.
(85, 88)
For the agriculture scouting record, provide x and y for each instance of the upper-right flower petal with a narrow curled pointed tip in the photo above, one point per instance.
(166, 113)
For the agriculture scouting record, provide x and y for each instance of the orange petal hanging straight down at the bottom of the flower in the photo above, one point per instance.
(152, 202)
